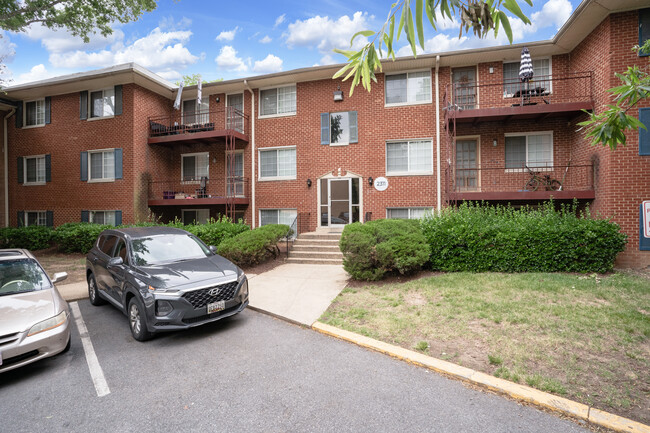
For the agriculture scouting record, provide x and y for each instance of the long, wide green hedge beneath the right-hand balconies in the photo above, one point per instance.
(481, 238)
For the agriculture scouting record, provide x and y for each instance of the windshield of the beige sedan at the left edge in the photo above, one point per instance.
(20, 276)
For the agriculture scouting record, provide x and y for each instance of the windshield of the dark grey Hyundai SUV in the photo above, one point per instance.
(167, 248)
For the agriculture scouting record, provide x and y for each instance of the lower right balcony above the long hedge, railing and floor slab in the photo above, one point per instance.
(514, 184)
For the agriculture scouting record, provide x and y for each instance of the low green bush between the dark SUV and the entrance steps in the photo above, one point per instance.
(254, 246)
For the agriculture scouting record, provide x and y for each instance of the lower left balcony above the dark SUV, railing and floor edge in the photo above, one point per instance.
(196, 192)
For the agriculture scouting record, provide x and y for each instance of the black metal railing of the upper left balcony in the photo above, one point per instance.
(228, 118)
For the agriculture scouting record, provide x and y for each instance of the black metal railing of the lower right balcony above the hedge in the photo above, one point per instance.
(572, 177)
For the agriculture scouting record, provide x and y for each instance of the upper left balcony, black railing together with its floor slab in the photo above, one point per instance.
(199, 126)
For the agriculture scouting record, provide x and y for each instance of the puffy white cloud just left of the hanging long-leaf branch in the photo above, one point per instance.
(326, 33)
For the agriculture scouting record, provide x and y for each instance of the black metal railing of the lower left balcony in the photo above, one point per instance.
(192, 189)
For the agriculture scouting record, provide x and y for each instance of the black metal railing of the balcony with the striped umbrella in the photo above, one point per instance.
(547, 89)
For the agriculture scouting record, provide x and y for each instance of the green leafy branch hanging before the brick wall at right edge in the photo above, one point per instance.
(608, 128)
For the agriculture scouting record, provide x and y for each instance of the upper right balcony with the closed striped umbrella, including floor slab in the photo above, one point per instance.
(543, 97)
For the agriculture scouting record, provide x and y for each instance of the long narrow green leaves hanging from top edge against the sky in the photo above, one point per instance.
(480, 16)
